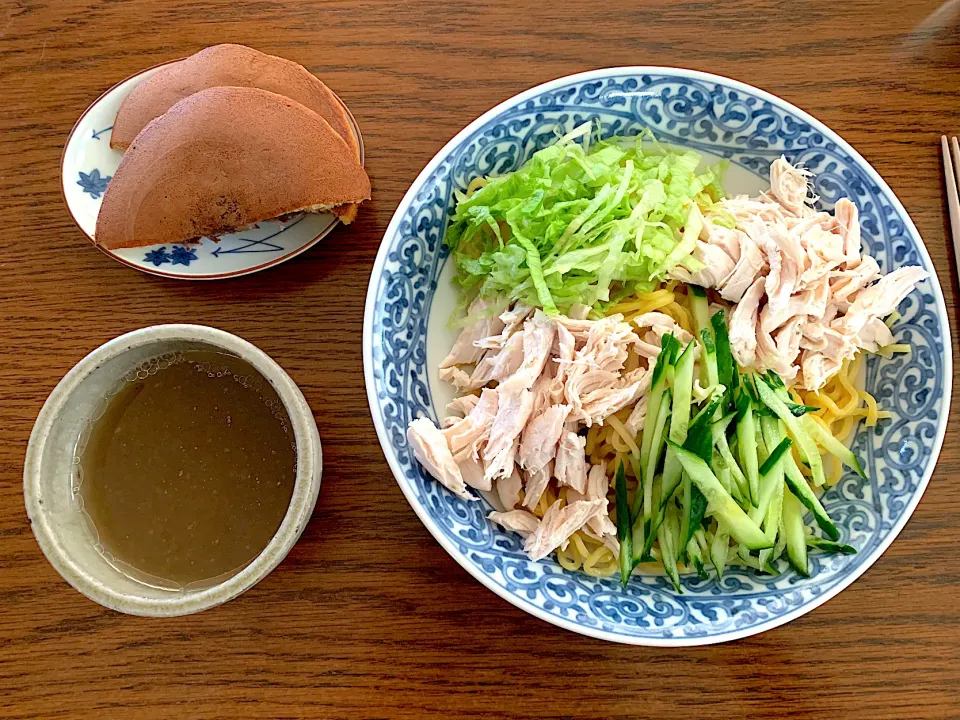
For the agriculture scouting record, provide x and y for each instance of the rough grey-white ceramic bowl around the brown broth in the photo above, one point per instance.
(59, 525)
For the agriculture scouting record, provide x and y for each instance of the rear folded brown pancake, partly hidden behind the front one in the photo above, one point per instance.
(226, 66)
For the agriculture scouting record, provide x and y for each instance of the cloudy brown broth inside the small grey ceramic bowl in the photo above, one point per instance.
(188, 473)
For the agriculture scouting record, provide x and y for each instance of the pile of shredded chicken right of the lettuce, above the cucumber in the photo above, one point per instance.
(807, 297)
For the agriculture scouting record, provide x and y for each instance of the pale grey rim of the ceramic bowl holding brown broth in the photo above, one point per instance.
(302, 500)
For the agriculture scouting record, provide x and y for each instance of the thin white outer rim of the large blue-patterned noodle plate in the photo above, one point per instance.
(376, 276)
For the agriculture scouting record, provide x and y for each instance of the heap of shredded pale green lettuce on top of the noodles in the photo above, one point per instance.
(582, 222)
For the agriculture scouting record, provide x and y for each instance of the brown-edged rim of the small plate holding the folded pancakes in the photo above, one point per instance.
(354, 126)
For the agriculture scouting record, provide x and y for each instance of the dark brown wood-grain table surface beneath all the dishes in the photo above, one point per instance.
(368, 617)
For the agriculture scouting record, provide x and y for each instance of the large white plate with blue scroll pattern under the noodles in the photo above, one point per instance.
(410, 298)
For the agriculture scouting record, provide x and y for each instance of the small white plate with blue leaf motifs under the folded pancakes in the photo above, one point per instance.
(88, 164)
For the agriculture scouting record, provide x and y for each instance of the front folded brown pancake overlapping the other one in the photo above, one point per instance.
(222, 159)
